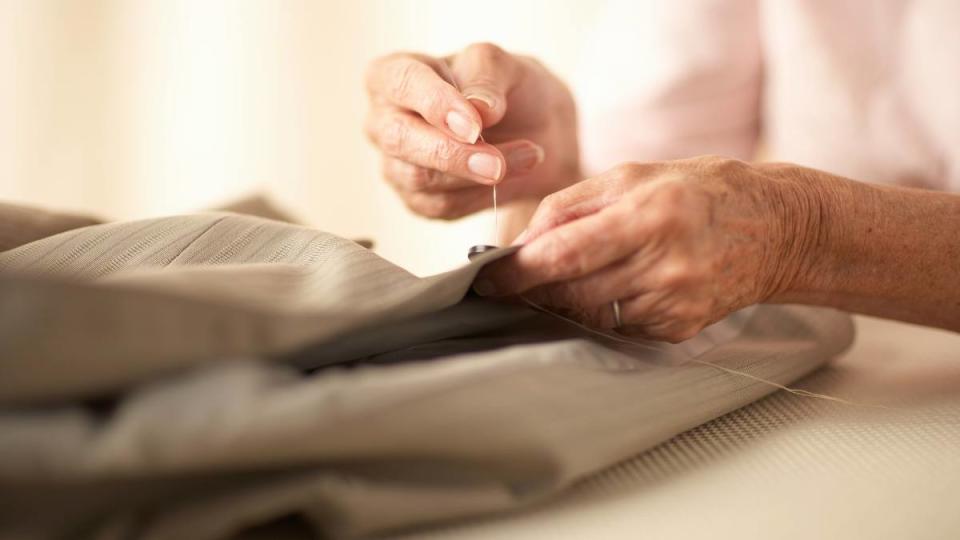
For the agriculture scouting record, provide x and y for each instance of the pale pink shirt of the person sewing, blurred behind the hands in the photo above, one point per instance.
(864, 89)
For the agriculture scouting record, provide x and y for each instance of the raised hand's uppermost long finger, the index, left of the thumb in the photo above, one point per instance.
(409, 82)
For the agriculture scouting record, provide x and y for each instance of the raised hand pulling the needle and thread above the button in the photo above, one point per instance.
(428, 131)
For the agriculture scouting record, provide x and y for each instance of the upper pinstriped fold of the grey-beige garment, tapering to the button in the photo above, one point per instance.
(171, 292)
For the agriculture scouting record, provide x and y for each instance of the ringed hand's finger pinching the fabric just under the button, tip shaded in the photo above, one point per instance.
(567, 252)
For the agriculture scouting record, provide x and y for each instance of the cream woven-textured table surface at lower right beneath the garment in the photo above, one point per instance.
(788, 466)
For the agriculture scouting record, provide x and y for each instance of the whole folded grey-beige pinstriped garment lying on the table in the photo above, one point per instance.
(152, 384)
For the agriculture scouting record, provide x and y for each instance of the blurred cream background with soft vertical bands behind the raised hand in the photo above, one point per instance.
(134, 108)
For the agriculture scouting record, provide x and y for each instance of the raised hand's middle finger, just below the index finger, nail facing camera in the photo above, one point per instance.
(403, 135)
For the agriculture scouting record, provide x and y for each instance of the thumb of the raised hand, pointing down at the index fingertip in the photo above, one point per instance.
(486, 74)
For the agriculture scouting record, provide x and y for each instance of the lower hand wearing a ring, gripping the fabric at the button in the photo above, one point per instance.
(680, 244)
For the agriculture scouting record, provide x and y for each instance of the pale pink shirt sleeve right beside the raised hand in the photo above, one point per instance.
(666, 80)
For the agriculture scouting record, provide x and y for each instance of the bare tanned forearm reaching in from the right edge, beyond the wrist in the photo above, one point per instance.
(878, 250)
